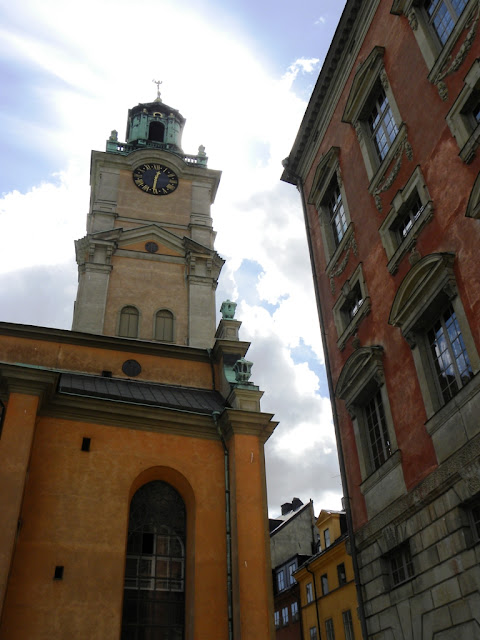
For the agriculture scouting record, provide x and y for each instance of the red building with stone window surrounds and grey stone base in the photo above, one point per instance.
(387, 166)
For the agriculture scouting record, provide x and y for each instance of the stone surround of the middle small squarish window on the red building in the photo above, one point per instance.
(395, 250)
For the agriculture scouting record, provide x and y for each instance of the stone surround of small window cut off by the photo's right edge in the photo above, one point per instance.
(462, 125)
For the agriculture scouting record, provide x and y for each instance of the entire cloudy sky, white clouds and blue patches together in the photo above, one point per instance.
(241, 73)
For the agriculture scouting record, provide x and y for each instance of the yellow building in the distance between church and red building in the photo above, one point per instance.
(328, 596)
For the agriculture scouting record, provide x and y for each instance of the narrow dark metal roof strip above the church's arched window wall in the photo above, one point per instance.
(145, 393)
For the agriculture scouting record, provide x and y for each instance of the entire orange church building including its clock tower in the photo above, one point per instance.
(132, 467)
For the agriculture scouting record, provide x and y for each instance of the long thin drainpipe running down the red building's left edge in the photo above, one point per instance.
(341, 460)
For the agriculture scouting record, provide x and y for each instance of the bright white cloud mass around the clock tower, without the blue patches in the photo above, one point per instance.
(247, 119)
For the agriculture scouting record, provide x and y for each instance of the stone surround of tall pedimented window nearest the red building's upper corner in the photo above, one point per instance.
(327, 171)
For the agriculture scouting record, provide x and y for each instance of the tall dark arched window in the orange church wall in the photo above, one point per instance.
(154, 591)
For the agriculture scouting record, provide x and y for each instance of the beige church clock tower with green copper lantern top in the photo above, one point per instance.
(147, 266)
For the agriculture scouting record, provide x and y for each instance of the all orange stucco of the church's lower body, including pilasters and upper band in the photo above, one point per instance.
(71, 507)
